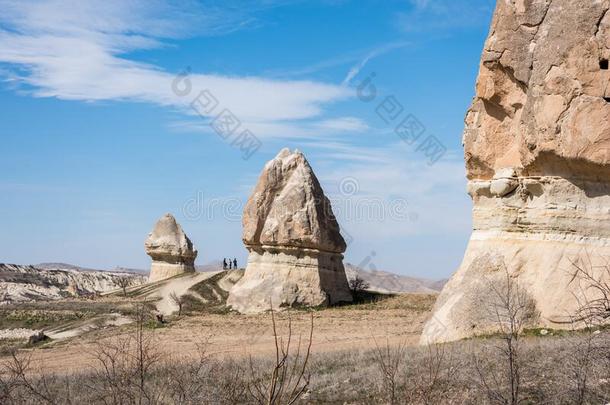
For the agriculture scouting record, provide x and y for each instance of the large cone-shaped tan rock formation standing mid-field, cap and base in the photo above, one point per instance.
(295, 247)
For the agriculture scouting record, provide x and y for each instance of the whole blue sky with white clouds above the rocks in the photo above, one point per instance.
(97, 145)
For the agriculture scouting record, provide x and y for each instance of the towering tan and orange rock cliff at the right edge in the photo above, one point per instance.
(537, 151)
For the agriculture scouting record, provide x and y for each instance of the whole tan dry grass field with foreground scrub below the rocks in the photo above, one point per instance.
(361, 353)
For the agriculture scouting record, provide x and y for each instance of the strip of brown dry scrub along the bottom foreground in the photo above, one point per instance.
(136, 372)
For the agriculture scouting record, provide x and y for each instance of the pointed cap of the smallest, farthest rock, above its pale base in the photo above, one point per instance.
(168, 240)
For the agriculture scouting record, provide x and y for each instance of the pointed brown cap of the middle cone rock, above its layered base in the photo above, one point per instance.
(288, 208)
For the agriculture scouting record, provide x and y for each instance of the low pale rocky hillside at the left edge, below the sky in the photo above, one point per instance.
(53, 281)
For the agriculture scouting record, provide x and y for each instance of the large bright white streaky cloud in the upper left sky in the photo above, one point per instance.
(76, 51)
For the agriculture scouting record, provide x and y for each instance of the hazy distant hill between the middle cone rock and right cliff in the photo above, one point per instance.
(386, 282)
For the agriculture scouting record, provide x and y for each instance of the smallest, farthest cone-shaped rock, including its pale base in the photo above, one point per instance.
(171, 250)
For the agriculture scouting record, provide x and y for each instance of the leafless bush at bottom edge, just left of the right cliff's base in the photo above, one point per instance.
(390, 360)
